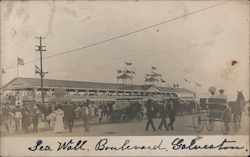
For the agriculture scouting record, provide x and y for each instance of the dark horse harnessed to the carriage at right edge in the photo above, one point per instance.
(238, 106)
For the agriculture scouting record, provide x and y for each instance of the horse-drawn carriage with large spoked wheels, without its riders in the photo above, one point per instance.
(216, 110)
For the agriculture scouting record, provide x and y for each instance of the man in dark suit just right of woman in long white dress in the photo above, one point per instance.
(70, 115)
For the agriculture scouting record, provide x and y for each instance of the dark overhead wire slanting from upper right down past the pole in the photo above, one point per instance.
(123, 35)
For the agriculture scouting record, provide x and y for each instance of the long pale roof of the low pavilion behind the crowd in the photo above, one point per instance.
(29, 83)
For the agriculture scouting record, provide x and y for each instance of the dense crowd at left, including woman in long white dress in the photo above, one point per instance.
(30, 118)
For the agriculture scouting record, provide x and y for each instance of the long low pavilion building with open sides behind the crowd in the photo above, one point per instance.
(29, 88)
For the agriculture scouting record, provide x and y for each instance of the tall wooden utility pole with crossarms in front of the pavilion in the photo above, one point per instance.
(42, 74)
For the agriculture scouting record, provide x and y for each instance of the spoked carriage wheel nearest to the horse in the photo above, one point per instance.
(226, 121)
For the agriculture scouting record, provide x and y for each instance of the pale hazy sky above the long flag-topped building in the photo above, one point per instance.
(199, 47)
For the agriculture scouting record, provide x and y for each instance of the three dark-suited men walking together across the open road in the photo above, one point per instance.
(166, 109)
